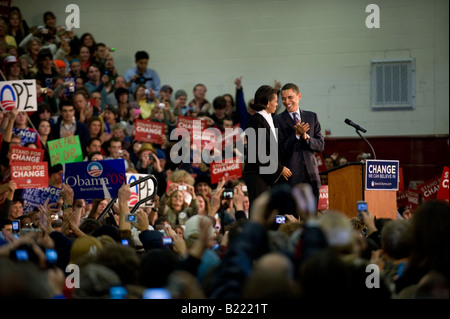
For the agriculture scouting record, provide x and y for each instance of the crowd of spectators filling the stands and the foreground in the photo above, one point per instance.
(192, 242)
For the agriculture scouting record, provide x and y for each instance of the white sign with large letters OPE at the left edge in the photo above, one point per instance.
(21, 94)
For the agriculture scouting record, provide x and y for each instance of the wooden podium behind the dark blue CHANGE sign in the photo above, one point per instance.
(346, 187)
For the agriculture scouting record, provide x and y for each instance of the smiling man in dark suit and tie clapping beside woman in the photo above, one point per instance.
(299, 138)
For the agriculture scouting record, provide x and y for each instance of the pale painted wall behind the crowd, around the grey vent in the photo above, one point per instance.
(324, 46)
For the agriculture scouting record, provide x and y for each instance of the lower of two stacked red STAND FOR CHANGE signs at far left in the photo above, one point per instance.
(29, 175)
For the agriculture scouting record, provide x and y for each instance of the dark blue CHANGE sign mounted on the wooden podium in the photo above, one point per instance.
(382, 175)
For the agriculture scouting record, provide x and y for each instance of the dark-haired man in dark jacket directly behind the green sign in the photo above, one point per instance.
(68, 125)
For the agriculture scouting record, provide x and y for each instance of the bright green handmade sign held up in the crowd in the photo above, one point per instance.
(65, 150)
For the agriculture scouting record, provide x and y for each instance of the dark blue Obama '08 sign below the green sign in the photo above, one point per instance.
(95, 179)
